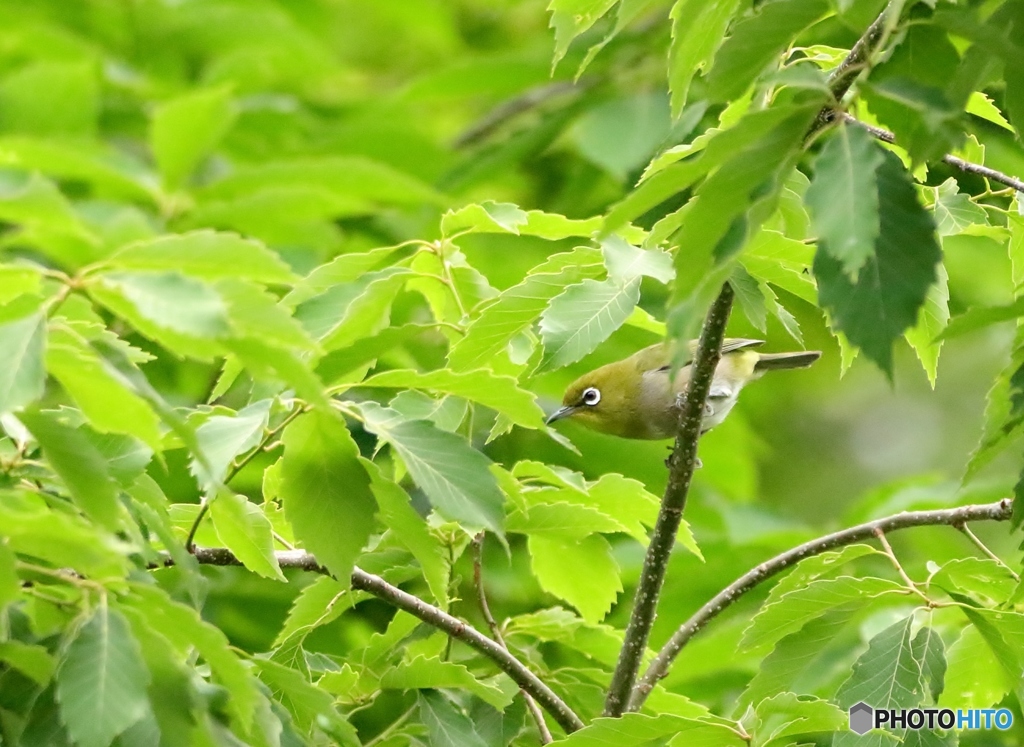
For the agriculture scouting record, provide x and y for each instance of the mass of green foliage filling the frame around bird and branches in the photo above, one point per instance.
(219, 214)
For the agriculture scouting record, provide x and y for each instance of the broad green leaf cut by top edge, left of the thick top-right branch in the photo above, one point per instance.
(758, 40)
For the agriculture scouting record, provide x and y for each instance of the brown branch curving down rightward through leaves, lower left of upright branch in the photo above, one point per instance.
(429, 614)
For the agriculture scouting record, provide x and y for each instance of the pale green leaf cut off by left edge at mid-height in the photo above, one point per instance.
(23, 344)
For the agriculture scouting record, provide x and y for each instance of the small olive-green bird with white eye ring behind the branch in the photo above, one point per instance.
(634, 398)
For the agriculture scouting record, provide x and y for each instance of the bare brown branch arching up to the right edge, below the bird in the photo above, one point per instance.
(999, 512)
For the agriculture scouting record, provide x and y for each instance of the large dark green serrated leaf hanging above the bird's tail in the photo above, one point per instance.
(892, 286)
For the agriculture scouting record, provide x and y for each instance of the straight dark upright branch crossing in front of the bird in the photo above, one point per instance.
(681, 466)
